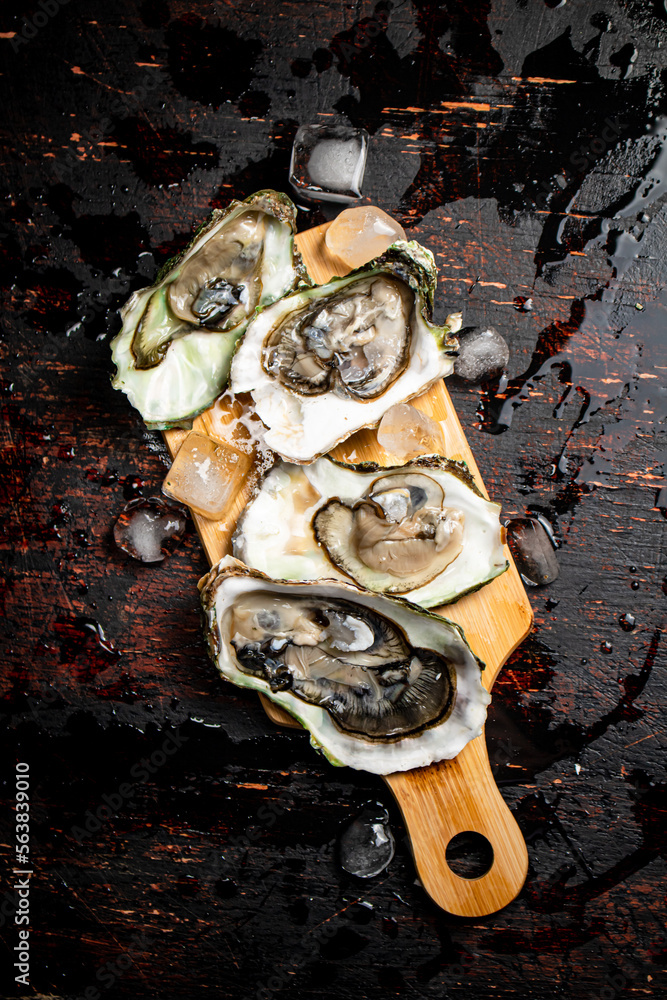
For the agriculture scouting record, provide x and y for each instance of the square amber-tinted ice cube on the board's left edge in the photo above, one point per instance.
(206, 474)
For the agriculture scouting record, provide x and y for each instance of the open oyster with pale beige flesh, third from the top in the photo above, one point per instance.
(422, 530)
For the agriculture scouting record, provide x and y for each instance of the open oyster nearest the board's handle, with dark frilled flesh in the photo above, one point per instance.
(382, 686)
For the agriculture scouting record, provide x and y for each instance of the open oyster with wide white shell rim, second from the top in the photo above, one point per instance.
(326, 361)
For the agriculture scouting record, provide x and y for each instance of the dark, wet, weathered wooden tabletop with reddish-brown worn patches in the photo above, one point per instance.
(506, 136)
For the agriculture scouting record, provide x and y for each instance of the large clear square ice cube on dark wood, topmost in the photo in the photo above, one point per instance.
(328, 162)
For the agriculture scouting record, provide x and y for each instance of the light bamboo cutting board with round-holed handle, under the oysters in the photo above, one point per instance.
(454, 796)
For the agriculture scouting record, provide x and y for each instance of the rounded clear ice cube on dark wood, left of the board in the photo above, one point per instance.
(149, 529)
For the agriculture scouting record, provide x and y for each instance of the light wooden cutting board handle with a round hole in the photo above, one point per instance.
(461, 796)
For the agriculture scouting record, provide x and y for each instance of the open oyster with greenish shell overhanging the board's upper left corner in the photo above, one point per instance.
(175, 347)
